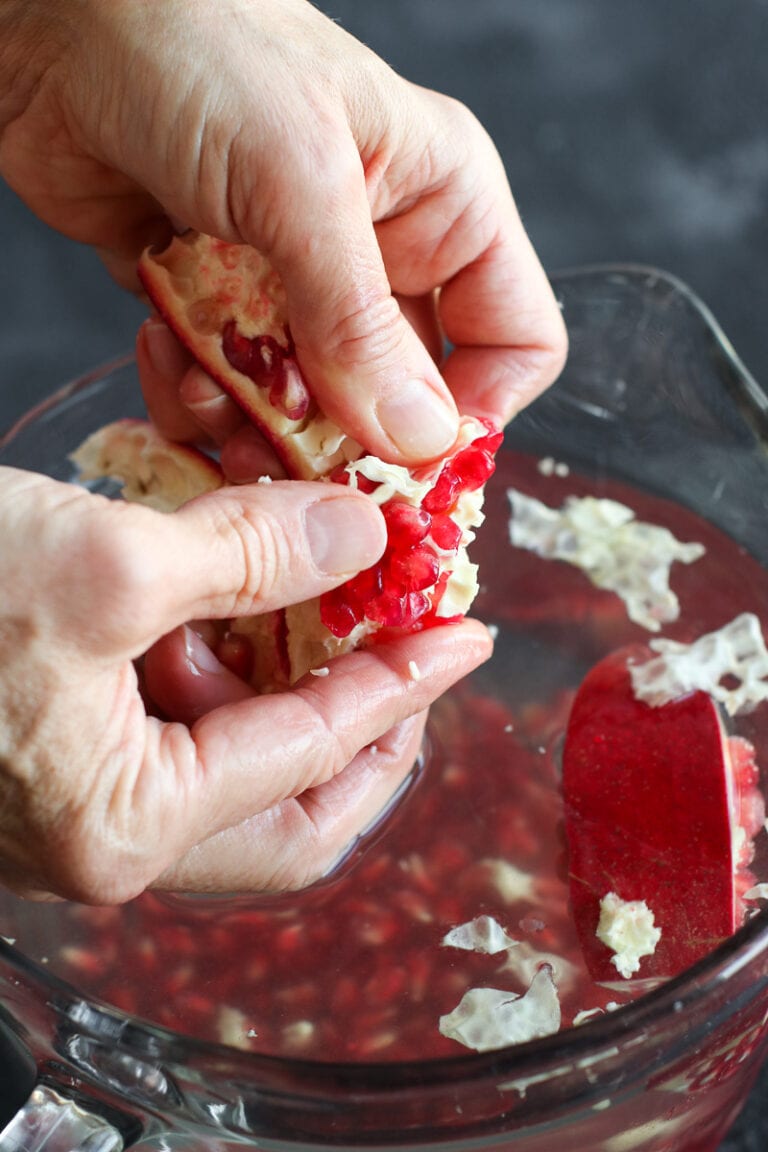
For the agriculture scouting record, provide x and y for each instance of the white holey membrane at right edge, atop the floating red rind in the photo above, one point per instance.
(711, 664)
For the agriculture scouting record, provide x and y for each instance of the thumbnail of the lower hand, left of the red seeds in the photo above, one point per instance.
(345, 535)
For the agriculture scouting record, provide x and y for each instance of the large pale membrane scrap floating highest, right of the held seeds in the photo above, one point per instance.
(618, 552)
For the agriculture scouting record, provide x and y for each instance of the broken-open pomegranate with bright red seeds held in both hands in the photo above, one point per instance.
(226, 304)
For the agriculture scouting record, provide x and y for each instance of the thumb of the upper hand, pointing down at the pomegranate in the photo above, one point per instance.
(369, 370)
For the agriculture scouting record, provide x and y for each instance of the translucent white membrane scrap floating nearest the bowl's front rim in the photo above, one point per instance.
(490, 1019)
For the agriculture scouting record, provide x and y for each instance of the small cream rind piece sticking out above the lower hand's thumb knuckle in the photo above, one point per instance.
(153, 471)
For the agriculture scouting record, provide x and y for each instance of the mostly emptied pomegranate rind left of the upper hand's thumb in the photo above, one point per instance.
(202, 287)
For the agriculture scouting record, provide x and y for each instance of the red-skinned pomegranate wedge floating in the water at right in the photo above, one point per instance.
(661, 807)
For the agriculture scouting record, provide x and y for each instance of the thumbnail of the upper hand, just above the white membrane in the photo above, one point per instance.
(422, 425)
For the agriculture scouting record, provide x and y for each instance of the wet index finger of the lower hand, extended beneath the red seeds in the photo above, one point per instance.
(231, 767)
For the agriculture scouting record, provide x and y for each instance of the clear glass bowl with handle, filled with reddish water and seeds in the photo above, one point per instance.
(653, 403)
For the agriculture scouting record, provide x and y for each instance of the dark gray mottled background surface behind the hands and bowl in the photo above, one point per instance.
(633, 131)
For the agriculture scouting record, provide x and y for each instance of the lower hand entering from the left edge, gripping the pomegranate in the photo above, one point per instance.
(101, 800)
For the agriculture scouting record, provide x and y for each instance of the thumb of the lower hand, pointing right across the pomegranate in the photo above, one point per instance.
(127, 575)
